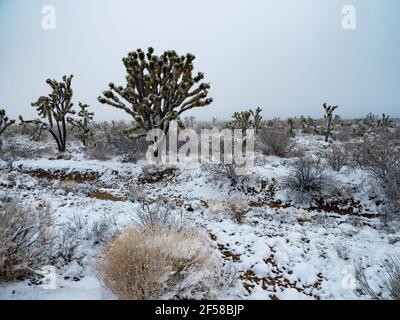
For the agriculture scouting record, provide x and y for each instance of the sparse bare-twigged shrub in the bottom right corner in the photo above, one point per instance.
(389, 281)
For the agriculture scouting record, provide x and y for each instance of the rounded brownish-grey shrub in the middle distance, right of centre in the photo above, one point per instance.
(274, 141)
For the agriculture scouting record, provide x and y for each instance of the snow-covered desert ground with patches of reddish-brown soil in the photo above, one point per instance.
(282, 250)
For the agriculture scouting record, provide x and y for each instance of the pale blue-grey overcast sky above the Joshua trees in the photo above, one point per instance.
(286, 56)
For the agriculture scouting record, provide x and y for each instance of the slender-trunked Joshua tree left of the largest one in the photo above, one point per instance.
(55, 108)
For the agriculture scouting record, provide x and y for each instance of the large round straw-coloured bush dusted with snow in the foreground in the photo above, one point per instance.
(158, 263)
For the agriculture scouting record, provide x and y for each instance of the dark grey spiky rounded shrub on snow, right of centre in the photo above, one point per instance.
(308, 177)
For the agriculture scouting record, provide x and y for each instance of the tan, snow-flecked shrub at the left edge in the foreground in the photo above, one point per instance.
(25, 240)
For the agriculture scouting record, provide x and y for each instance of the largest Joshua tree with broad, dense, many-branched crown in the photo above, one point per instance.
(158, 90)
